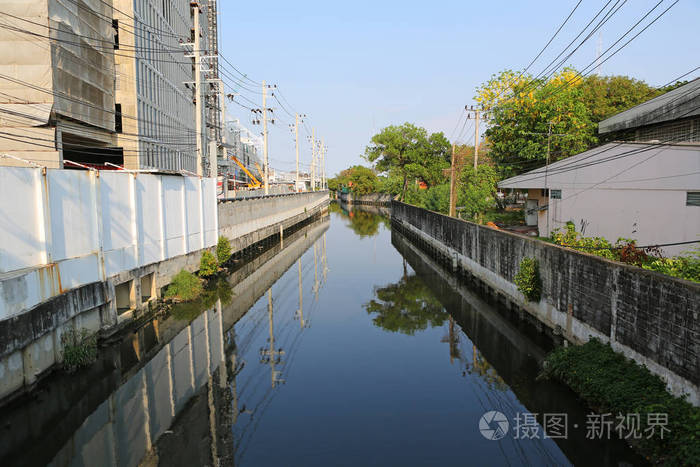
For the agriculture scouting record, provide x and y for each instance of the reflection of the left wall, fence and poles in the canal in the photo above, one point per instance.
(164, 392)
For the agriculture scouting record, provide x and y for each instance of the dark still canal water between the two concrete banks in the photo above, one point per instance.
(344, 345)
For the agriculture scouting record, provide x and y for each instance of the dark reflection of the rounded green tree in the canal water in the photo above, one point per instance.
(407, 306)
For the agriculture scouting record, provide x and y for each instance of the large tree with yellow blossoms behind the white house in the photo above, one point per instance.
(521, 109)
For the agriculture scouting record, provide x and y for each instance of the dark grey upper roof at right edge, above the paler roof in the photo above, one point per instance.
(682, 102)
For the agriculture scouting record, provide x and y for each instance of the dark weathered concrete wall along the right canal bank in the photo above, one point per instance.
(650, 317)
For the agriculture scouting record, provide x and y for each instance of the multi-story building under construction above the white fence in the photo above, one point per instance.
(107, 84)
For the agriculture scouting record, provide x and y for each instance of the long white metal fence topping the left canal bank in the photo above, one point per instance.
(55, 225)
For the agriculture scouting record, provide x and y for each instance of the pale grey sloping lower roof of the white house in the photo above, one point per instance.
(619, 166)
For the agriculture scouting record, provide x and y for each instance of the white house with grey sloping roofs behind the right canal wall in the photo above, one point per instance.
(646, 188)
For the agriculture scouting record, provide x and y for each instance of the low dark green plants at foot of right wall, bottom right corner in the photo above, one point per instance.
(613, 384)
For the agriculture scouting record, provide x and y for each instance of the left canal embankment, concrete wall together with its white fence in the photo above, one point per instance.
(92, 250)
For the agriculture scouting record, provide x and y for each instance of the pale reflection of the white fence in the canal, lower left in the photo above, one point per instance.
(125, 426)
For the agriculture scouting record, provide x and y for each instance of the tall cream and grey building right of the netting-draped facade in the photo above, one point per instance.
(155, 90)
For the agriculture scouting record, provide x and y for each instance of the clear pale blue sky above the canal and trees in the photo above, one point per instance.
(355, 67)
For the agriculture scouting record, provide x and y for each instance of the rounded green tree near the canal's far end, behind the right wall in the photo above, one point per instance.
(407, 152)
